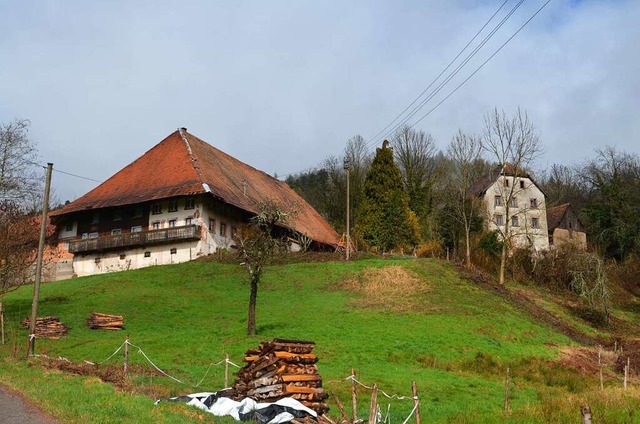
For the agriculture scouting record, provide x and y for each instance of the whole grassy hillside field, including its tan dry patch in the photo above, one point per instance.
(393, 321)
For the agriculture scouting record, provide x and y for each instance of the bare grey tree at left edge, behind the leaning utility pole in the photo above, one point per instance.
(20, 176)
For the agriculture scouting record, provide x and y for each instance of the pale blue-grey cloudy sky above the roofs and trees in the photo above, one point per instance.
(281, 85)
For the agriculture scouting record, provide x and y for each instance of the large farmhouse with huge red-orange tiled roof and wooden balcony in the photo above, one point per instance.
(180, 200)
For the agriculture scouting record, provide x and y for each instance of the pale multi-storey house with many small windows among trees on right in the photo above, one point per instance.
(514, 207)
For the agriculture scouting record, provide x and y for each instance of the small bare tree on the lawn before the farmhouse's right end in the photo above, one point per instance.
(256, 245)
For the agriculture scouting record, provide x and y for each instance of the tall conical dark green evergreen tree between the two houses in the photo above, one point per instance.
(386, 222)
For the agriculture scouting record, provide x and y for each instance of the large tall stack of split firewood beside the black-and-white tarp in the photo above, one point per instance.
(279, 369)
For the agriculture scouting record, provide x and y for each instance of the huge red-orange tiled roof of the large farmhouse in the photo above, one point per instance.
(184, 165)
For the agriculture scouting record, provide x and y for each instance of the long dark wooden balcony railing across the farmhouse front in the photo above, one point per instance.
(142, 238)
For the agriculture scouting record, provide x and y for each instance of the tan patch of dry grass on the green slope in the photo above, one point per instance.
(392, 287)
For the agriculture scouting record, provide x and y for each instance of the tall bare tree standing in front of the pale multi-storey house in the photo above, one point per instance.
(514, 144)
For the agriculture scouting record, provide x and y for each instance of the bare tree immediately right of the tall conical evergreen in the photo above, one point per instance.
(415, 154)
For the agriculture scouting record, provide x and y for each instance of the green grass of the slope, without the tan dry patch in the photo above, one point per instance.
(187, 316)
